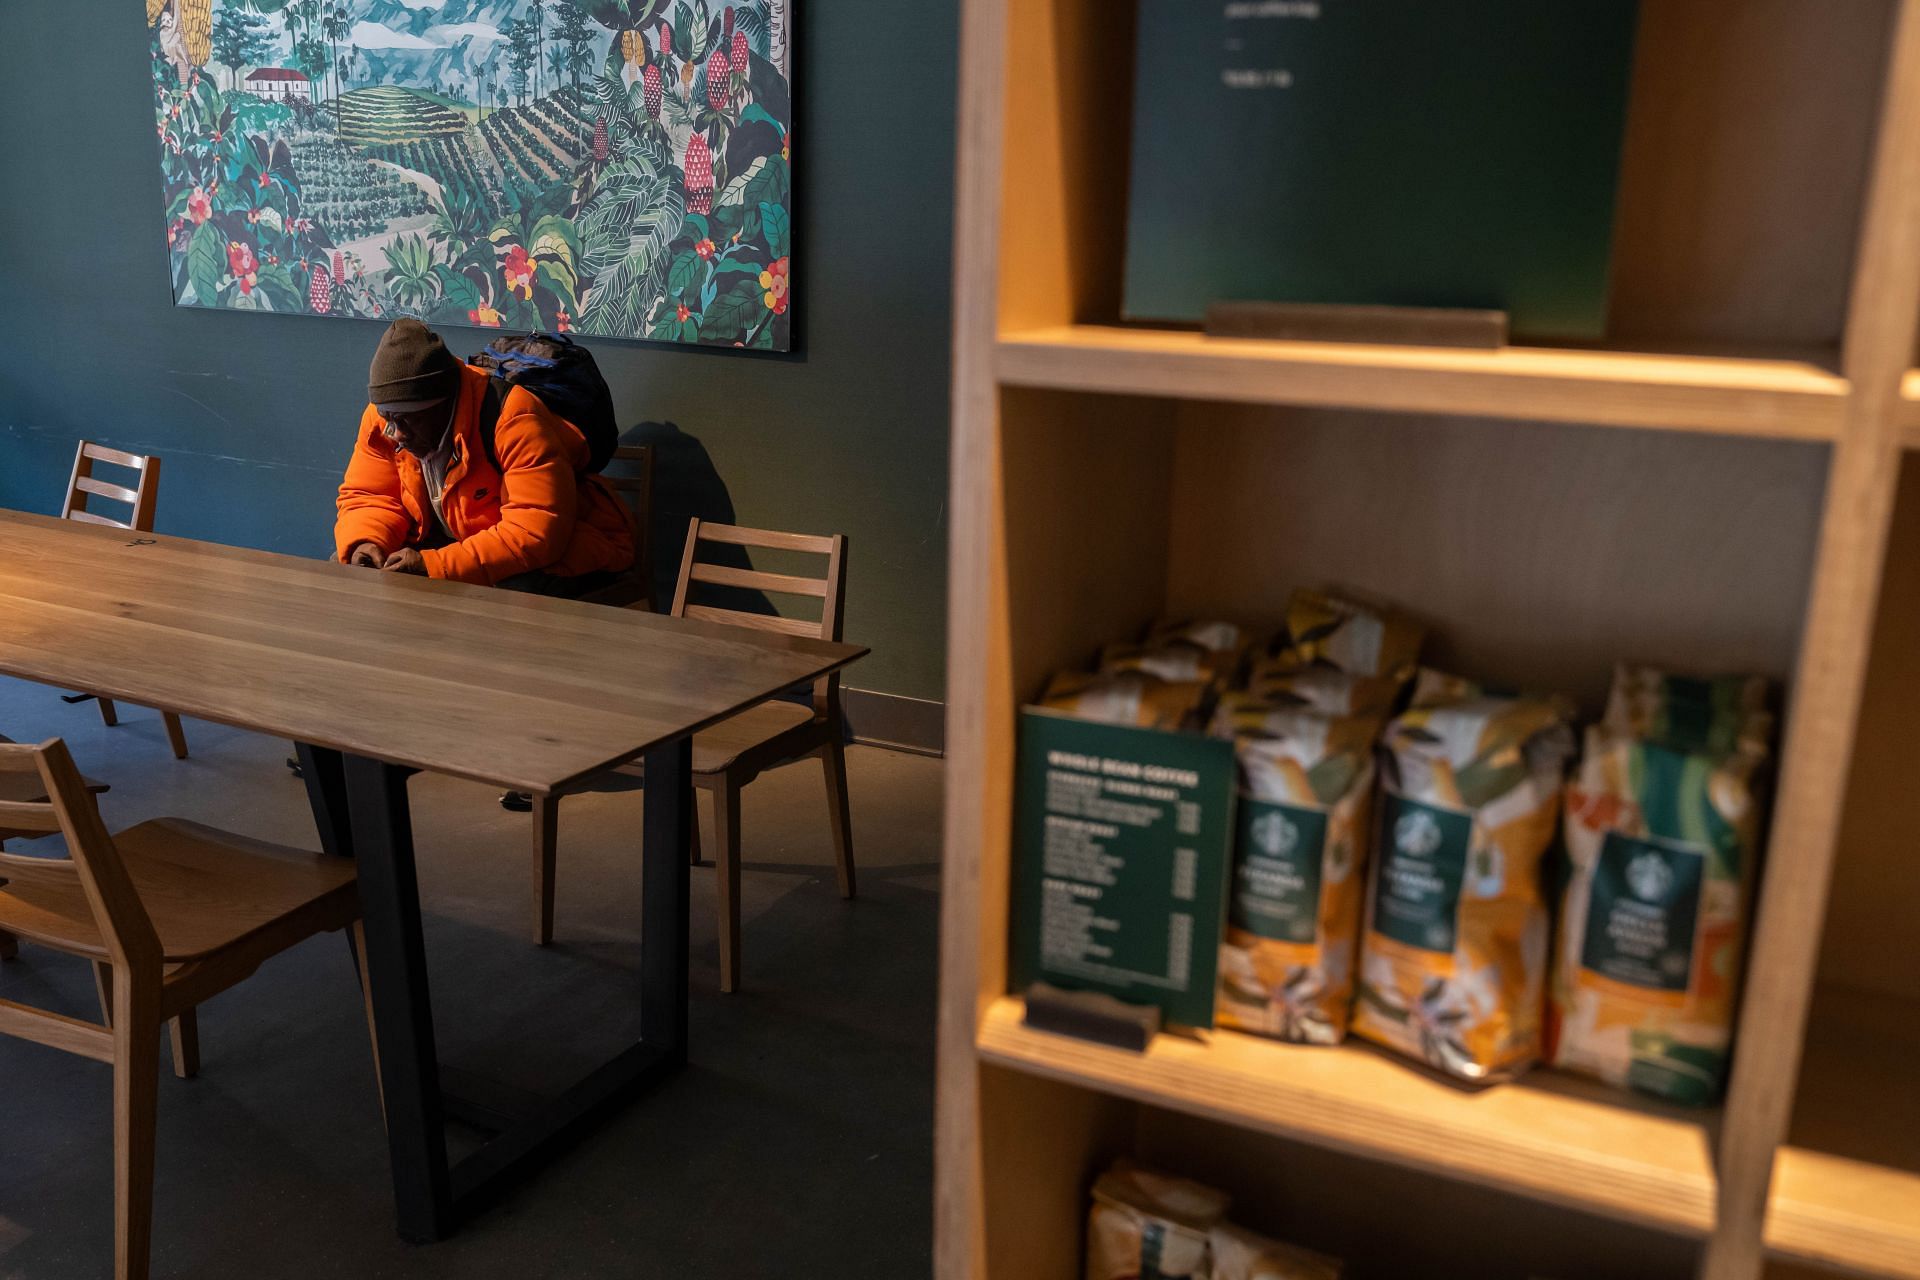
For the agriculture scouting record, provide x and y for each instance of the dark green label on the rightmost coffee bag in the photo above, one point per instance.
(1643, 913)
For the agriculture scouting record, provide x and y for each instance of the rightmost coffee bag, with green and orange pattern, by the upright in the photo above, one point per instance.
(1664, 834)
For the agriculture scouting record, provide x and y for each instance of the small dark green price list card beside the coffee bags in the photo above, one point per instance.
(1120, 863)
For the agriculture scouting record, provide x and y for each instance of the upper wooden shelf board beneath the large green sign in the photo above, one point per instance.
(1733, 396)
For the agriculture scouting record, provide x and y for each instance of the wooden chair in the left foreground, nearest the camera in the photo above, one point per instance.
(172, 914)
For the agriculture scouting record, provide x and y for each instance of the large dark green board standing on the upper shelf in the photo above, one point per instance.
(1387, 153)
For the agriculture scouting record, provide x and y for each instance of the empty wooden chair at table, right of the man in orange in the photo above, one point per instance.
(740, 749)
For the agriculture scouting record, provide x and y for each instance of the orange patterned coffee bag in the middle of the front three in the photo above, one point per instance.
(1454, 959)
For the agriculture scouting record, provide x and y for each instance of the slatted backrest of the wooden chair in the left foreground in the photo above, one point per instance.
(91, 865)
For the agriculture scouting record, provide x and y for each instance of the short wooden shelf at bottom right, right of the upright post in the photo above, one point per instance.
(1848, 1185)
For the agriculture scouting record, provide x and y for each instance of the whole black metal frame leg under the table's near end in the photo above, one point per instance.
(360, 809)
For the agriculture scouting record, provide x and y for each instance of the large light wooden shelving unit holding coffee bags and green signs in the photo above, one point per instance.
(1767, 300)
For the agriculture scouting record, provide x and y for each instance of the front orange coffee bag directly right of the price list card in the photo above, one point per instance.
(1299, 870)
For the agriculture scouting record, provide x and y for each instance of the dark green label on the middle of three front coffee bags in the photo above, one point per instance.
(1424, 861)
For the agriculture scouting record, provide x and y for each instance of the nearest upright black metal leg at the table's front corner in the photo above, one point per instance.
(402, 1007)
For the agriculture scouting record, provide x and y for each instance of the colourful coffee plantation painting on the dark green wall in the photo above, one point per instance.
(604, 168)
